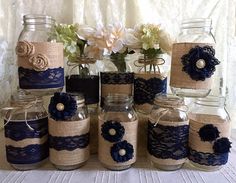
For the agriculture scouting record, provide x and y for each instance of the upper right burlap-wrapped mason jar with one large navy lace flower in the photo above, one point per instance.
(193, 59)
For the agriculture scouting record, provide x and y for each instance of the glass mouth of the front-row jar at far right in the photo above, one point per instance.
(211, 101)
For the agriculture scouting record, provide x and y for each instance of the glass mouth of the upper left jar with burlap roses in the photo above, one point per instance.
(38, 19)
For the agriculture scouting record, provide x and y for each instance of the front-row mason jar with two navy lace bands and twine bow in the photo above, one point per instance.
(26, 132)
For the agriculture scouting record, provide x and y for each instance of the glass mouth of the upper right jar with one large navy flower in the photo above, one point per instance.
(196, 23)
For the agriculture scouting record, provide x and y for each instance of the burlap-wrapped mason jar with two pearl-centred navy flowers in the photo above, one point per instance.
(117, 131)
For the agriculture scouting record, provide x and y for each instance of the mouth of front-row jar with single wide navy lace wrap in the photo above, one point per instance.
(168, 100)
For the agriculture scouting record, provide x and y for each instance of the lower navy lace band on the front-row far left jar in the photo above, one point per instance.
(27, 155)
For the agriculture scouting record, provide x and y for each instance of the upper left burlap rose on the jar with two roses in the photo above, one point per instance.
(24, 49)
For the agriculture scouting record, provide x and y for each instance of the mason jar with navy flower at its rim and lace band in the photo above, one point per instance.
(69, 125)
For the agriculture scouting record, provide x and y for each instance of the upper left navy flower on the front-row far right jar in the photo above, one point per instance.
(208, 132)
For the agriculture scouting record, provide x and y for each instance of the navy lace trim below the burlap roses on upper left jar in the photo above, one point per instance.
(31, 79)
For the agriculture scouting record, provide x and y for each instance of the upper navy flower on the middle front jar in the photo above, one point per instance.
(112, 131)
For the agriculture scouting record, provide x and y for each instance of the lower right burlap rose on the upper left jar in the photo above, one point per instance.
(39, 62)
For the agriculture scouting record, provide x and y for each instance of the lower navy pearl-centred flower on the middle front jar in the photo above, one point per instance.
(122, 151)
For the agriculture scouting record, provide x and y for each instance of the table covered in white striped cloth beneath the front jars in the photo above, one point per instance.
(141, 172)
